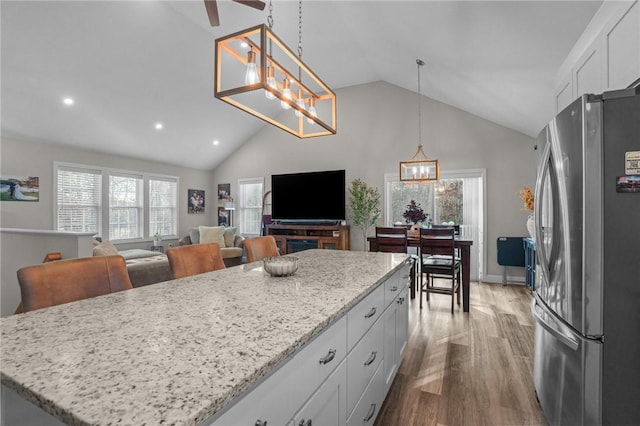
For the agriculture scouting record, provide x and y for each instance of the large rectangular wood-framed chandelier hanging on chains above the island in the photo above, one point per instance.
(254, 79)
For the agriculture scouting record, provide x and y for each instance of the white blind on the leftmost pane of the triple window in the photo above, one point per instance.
(78, 198)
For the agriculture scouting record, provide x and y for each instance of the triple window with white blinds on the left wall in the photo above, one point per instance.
(114, 203)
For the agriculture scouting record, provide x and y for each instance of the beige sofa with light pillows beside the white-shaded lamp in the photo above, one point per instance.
(231, 243)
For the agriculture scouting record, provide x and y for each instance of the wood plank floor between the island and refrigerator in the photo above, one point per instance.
(467, 369)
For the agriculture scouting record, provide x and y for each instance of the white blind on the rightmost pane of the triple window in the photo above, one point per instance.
(163, 207)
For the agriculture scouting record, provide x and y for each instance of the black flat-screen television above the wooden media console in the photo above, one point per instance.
(308, 197)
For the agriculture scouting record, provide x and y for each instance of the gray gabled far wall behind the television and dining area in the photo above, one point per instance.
(377, 128)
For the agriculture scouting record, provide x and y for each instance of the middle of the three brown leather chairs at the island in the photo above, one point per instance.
(194, 259)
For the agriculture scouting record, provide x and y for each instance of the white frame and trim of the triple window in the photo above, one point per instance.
(103, 230)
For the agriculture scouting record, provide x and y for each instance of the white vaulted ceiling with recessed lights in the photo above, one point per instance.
(131, 64)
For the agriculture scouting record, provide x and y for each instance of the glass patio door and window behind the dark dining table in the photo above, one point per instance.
(458, 197)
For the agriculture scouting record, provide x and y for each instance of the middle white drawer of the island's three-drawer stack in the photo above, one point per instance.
(363, 362)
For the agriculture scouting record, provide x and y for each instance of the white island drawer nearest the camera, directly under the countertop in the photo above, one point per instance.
(278, 397)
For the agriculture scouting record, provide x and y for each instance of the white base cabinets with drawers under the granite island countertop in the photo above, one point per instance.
(341, 377)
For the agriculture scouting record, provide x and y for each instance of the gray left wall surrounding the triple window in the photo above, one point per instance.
(23, 158)
